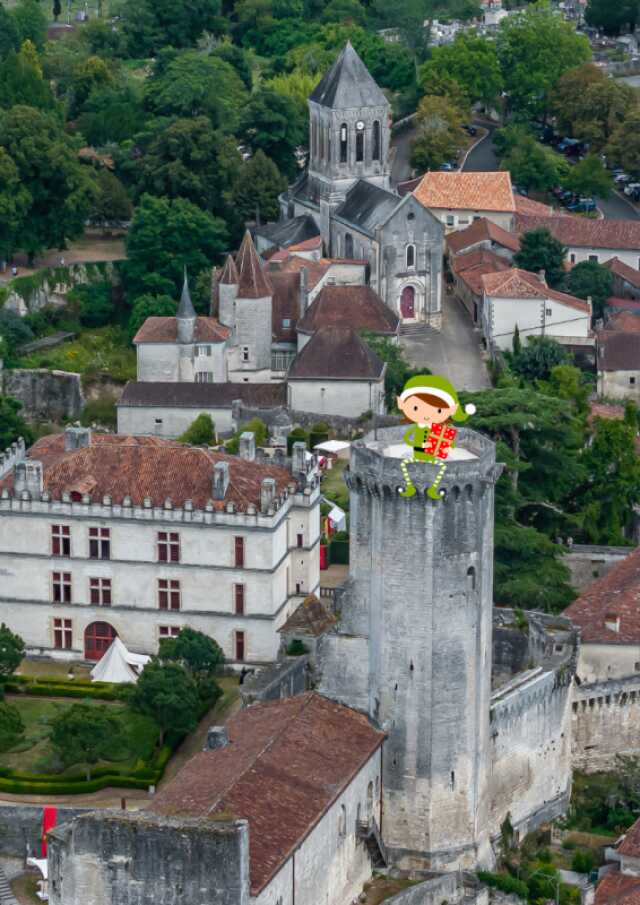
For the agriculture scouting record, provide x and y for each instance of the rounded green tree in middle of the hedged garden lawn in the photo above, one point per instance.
(85, 734)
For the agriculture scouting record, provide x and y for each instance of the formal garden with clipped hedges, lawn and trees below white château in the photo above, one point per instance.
(63, 734)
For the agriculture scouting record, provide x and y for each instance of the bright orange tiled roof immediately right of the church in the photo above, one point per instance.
(467, 191)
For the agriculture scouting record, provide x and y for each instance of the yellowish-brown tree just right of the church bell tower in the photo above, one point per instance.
(439, 133)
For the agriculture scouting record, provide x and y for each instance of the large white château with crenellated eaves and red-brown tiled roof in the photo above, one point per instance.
(105, 536)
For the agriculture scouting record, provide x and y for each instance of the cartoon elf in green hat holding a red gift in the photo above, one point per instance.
(430, 401)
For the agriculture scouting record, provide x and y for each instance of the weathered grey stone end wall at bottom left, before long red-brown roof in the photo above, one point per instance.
(109, 858)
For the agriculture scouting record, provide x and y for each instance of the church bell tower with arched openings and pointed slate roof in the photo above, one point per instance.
(349, 129)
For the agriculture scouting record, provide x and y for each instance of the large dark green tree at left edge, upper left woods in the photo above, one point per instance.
(60, 188)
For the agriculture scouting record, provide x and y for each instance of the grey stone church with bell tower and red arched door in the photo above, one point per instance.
(346, 196)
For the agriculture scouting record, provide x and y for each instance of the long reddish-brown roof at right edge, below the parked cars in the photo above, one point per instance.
(581, 232)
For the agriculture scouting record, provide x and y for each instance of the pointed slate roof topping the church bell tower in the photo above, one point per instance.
(348, 84)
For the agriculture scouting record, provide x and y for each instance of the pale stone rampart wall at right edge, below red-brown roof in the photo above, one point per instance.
(605, 722)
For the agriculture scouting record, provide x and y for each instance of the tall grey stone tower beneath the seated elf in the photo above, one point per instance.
(413, 647)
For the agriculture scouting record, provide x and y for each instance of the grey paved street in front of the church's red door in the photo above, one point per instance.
(454, 353)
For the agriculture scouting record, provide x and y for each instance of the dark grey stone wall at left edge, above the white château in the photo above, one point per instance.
(45, 395)
